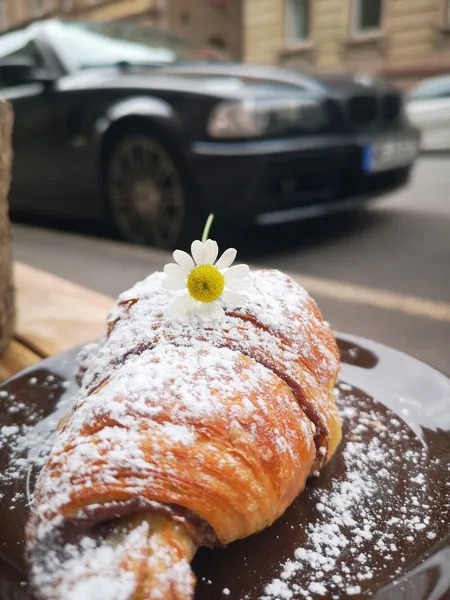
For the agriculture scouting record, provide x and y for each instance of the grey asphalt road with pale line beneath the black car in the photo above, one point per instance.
(383, 273)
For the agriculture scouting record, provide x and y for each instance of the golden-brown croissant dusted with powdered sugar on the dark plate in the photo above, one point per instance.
(184, 434)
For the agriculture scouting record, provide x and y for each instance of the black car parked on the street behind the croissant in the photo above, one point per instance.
(154, 131)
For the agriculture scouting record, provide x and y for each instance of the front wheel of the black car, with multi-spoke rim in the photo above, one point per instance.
(149, 198)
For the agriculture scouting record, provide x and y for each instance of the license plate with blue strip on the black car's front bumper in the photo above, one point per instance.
(388, 154)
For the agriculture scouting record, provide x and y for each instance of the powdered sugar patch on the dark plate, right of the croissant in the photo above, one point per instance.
(360, 515)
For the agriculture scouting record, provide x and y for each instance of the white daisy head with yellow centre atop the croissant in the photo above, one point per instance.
(206, 285)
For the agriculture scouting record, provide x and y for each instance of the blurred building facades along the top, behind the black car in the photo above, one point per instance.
(400, 39)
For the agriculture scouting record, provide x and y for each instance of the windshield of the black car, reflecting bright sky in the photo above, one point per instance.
(84, 45)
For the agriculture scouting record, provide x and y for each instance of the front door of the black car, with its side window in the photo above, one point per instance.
(34, 127)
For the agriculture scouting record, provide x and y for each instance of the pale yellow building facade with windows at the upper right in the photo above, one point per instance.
(404, 40)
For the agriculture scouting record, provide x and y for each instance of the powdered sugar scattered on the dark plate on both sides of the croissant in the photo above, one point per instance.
(398, 515)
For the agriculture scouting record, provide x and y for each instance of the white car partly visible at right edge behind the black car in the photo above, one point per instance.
(428, 108)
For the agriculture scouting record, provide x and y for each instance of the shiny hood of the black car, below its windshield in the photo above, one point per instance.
(230, 80)
